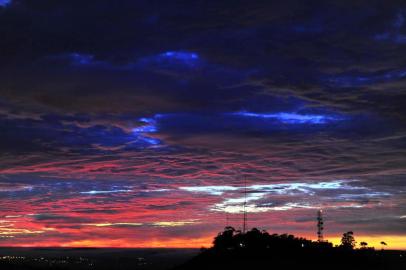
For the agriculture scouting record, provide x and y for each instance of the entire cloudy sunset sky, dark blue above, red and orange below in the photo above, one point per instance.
(139, 123)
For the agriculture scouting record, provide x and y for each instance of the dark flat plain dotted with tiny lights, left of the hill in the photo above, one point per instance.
(93, 258)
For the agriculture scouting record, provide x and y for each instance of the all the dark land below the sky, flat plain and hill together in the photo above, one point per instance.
(231, 250)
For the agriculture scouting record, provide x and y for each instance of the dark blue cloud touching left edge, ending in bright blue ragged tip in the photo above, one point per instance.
(52, 133)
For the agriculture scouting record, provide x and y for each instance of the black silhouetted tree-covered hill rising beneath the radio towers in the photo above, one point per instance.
(260, 250)
